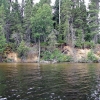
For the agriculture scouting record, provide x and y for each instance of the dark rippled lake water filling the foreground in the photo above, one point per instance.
(63, 81)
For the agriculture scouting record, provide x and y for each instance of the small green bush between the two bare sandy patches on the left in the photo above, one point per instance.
(22, 49)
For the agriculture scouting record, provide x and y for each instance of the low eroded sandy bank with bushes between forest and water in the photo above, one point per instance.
(56, 55)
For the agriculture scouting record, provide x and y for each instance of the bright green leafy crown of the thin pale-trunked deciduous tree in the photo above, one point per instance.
(42, 21)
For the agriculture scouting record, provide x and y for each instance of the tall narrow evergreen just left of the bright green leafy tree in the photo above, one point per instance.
(27, 19)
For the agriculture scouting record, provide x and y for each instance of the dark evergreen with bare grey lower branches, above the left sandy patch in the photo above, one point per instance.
(16, 23)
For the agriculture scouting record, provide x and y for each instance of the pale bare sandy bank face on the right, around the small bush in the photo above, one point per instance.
(80, 55)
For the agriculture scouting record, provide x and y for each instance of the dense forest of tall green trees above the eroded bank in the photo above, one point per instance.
(68, 22)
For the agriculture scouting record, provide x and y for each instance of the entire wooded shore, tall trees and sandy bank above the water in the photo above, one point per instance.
(66, 32)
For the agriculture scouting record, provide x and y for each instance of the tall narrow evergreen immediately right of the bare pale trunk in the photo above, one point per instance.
(65, 20)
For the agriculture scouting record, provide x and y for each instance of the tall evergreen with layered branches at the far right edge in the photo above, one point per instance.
(93, 21)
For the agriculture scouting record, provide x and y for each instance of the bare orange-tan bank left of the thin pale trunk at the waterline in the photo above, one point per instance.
(32, 55)
